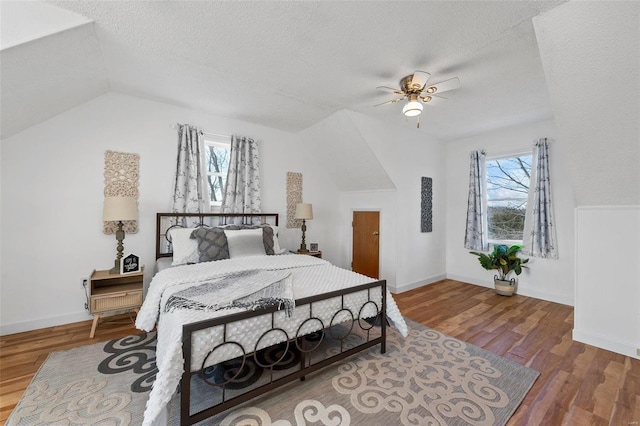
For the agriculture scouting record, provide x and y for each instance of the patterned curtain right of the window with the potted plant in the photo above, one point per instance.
(540, 232)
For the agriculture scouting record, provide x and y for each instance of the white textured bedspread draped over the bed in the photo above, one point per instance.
(310, 276)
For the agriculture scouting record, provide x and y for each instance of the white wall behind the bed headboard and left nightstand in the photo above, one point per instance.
(52, 193)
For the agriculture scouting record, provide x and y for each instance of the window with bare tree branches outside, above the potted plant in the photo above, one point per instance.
(507, 192)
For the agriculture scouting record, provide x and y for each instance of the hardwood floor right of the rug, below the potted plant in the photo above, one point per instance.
(578, 385)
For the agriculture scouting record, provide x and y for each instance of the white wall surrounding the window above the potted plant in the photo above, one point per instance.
(546, 279)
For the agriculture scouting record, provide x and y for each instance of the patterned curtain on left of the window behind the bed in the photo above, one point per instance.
(189, 190)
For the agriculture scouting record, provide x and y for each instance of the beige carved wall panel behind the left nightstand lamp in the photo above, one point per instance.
(121, 173)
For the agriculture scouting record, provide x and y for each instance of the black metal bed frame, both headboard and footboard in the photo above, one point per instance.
(375, 295)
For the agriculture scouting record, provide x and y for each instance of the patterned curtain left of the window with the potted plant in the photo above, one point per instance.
(475, 237)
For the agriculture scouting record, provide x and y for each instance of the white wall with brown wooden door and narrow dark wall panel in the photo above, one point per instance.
(407, 155)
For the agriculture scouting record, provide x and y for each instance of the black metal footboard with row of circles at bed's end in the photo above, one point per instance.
(311, 339)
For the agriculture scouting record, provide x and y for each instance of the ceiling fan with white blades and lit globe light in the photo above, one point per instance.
(414, 88)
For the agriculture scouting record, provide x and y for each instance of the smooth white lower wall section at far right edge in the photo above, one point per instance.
(607, 312)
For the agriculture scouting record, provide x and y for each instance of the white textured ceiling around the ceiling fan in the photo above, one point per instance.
(289, 65)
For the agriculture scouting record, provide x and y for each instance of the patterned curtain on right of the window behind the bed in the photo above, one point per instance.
(242, 190)
